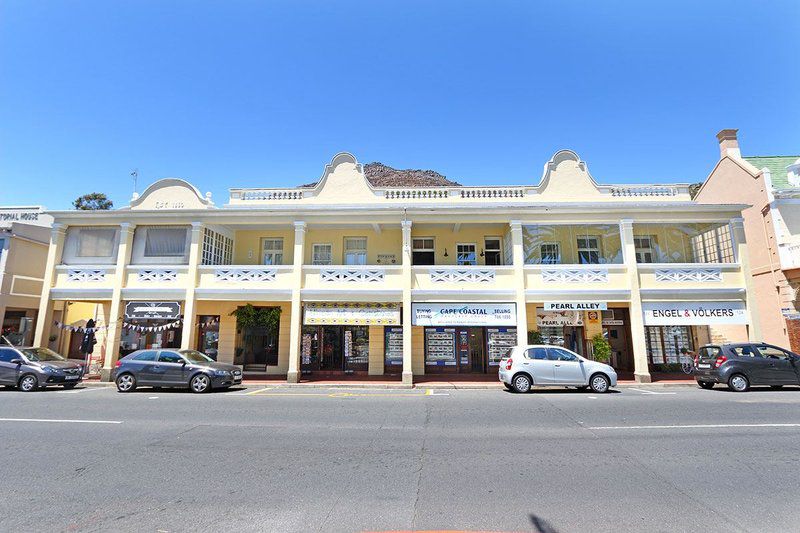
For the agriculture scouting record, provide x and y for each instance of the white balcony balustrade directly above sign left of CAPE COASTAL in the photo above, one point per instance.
(352, 282)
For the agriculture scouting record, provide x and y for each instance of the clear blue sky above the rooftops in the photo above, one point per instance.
(247, 94)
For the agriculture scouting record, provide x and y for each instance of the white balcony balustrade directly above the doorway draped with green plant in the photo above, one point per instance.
(244, 282)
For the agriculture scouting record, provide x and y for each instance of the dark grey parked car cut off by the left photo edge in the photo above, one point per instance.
(33, 368)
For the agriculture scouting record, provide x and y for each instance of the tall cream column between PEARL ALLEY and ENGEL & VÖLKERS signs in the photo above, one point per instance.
(638, 342)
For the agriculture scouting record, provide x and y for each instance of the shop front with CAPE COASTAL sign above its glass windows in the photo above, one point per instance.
(465, 338)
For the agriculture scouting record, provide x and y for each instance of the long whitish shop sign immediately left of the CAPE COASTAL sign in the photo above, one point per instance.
(351, 314)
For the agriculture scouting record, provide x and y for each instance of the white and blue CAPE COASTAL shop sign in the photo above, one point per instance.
(458, 314)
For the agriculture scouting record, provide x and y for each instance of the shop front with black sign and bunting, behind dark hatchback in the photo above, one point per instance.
(152, 325)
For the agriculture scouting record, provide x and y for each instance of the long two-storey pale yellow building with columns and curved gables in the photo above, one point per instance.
(361, 273)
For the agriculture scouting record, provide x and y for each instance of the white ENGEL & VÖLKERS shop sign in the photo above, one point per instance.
(693, 313)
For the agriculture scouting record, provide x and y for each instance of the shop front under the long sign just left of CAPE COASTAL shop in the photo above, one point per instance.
(336, 336)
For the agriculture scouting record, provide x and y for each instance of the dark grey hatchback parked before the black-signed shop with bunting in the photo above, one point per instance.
(174, 368)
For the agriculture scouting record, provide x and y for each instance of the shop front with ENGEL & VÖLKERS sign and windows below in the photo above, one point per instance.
(675, 330)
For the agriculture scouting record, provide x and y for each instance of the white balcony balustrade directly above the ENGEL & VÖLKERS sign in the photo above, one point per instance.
(689, 280)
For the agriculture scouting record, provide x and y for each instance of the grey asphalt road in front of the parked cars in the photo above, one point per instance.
(332, 460)
